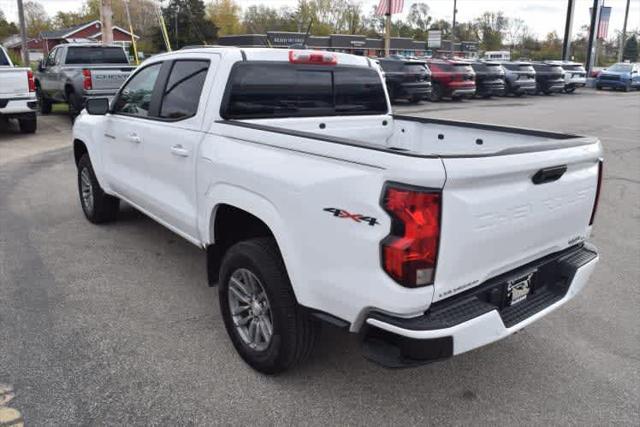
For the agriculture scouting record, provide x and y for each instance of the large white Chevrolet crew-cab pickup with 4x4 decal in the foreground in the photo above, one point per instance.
(315, 203)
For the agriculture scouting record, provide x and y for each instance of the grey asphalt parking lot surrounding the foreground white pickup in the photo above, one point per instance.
(115, 324)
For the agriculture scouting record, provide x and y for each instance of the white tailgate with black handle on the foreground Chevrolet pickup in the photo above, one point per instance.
(495, 218)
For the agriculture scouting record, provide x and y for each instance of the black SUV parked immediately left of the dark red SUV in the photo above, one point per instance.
(406, 79)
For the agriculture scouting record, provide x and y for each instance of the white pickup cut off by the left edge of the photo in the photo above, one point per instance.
(17, 94)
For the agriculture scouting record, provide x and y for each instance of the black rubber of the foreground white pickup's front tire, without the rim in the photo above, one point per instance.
(104, 207)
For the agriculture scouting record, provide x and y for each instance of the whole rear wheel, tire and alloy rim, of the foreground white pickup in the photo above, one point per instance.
(267, 327)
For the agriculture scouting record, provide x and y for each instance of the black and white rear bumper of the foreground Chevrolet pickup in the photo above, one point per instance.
(478, 317)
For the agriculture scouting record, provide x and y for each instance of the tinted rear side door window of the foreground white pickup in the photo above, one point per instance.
(181, 95)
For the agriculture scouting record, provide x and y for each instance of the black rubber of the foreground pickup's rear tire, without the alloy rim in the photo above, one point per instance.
(294, 330)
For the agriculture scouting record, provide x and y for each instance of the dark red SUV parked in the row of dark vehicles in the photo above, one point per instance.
(451, 78)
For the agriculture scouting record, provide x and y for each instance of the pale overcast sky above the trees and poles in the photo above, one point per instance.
(542, 16)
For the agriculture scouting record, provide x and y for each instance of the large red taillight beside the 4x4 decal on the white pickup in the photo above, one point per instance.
(410, 251)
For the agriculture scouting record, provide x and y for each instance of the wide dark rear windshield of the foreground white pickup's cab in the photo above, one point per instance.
(267, 90)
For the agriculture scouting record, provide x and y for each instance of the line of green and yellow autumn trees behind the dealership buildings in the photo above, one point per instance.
(196, 22)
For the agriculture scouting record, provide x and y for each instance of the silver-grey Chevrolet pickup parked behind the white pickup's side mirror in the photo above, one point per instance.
(75, 72)
